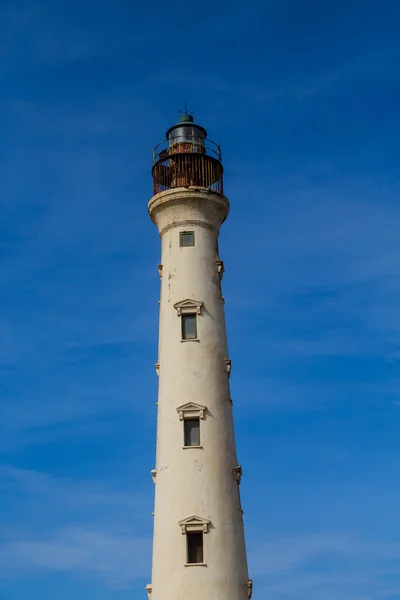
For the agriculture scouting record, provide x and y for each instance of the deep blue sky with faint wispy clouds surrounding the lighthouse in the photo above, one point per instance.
(304, 99)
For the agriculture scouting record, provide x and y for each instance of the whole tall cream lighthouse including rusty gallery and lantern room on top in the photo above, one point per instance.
(198, 547)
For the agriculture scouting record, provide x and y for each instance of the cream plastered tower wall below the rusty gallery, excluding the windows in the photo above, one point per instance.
(197, 482)
